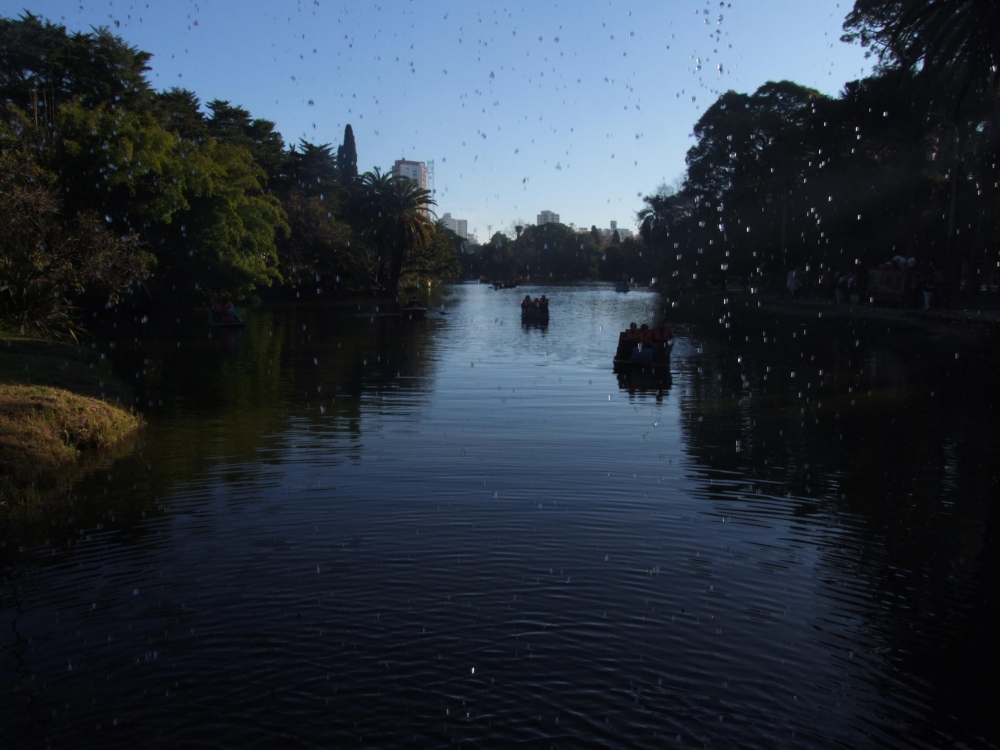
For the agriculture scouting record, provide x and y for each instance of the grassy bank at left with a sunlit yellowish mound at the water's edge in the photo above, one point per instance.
(58, 403)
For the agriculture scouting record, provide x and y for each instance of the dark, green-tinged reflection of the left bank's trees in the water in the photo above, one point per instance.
(225, 404)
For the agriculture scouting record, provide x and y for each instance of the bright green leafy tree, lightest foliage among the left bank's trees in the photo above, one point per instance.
(200, 207)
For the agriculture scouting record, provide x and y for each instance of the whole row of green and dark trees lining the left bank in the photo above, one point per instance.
(110, 190)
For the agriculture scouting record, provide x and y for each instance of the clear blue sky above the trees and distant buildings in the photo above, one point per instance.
(576, 107)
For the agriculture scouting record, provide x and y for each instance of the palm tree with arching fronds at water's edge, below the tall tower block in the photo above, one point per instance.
(392, 216)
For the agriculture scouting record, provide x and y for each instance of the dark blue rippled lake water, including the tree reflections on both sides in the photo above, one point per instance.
(345, 530)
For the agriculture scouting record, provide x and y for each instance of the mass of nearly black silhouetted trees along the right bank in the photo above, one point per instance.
(901, 163)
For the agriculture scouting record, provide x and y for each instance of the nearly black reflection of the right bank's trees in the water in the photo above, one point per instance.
(856, 436)
